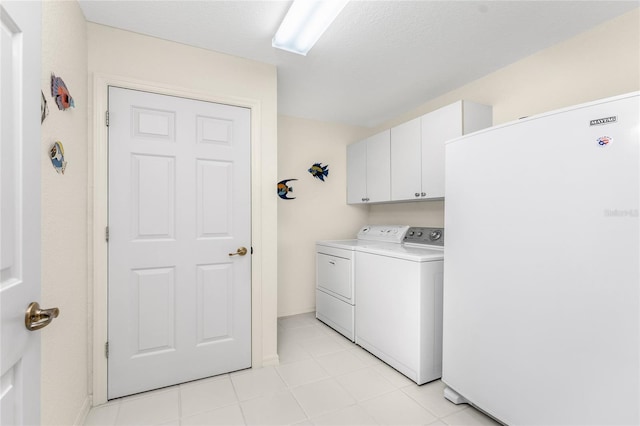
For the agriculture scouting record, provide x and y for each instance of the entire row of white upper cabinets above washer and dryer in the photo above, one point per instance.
(406, 163)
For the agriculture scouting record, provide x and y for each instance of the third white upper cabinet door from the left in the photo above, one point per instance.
(406, 161)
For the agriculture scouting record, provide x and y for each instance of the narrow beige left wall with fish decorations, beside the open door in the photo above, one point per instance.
(64, 219)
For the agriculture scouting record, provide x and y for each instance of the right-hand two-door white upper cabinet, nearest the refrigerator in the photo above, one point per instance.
(417, 148)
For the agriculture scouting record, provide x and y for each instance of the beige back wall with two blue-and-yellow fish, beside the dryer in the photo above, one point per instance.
(319, 210)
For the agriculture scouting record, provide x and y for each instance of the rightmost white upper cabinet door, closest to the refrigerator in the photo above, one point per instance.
(438, 127)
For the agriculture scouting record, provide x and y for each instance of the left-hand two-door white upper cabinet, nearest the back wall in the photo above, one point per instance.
(369, 170)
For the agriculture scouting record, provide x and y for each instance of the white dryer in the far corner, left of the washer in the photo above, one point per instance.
(335, 274)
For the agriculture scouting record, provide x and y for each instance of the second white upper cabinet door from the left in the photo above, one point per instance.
(379, 167)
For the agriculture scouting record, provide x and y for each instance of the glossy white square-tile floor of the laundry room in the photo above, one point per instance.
(322, 379)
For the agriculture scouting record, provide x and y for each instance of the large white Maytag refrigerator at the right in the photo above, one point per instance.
(541, 274)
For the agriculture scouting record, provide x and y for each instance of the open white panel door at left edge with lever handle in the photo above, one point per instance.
(20, 210)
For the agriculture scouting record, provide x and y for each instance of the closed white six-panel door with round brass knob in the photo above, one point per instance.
(179, 211)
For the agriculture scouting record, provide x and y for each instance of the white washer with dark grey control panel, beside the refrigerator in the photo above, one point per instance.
(399, 311)
